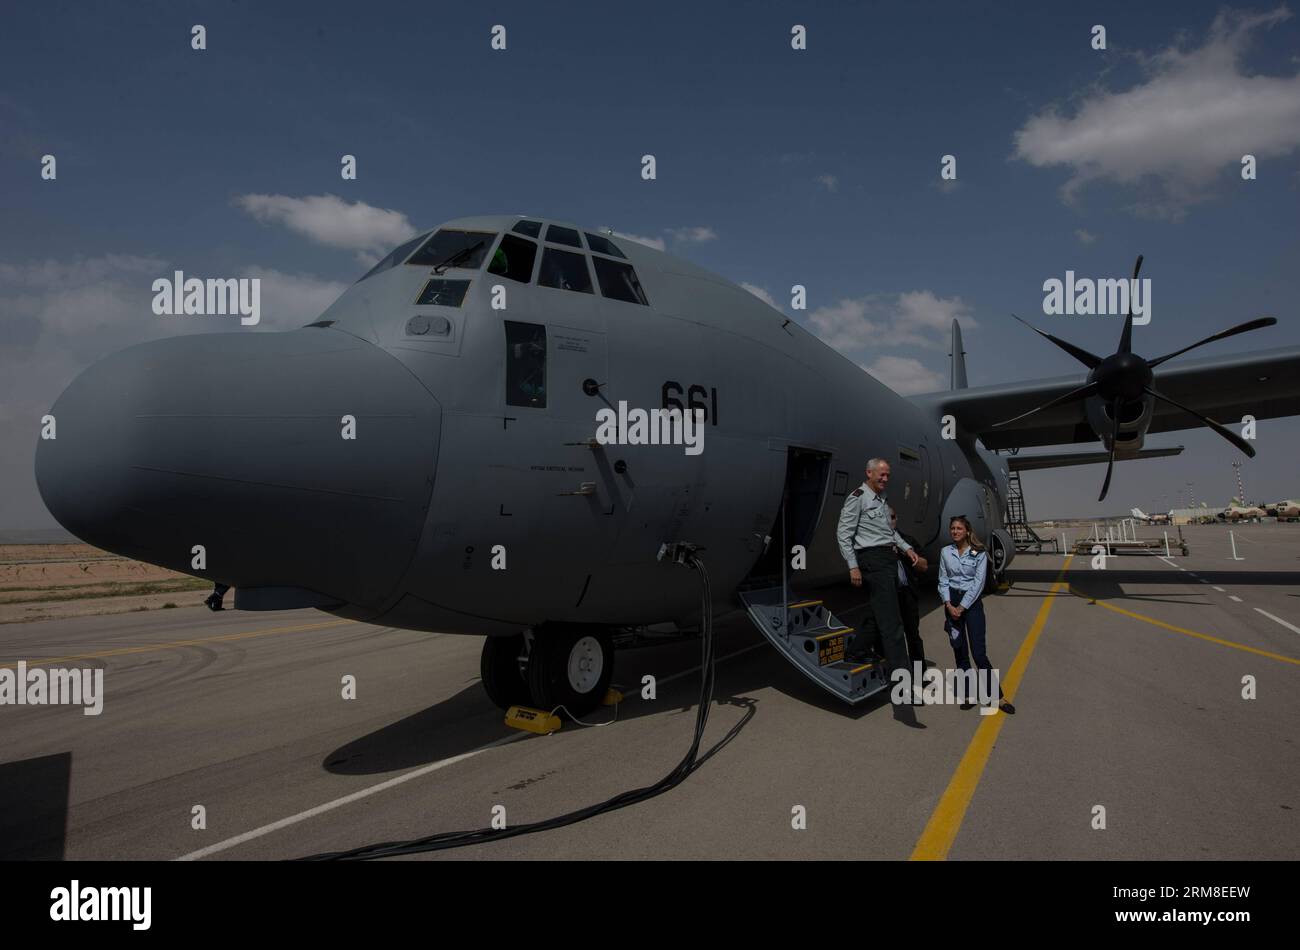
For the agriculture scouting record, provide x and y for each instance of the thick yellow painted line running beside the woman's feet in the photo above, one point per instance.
(947, 819)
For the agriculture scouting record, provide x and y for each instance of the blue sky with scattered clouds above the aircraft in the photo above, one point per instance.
(775, 167)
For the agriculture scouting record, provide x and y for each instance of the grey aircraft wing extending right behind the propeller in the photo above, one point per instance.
(1264, 384)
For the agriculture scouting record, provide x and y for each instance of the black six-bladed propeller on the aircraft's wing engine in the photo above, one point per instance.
(1125, 378)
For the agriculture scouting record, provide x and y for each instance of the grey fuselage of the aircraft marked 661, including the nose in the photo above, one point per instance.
(233, 444)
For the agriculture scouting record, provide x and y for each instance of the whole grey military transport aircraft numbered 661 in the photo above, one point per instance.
(423, 456)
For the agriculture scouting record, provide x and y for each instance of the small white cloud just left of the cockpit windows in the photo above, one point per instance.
(330, 220)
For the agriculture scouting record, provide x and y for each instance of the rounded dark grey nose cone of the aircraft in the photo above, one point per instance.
(236, 443)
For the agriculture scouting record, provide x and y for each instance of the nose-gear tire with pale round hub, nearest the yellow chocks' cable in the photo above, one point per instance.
(570, 667)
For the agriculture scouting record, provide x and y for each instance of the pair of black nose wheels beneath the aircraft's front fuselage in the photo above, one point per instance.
(556, 667)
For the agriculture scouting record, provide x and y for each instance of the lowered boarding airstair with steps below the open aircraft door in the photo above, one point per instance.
(814, 641)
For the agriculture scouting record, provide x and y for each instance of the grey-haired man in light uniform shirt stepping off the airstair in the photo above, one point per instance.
(869, 544)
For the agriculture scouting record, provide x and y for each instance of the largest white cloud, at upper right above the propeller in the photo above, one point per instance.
(1197, 114)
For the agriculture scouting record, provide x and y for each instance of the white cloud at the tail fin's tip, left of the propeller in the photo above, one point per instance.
(913, 319)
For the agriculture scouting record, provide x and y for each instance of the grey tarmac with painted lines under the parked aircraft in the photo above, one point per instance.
(1128, 682)
